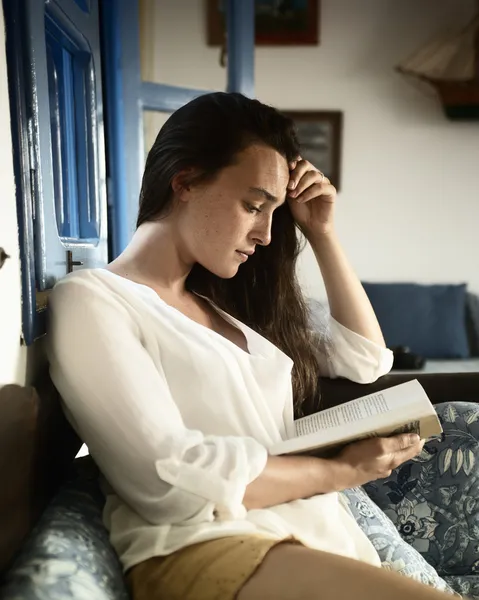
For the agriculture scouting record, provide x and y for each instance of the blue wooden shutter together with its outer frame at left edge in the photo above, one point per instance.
(54, 65)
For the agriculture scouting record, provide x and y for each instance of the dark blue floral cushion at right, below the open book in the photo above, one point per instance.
(433, 500)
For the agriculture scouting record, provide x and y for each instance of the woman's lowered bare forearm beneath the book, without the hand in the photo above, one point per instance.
(287, 478)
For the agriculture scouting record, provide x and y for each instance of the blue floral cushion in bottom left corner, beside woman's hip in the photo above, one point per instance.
(68, 555)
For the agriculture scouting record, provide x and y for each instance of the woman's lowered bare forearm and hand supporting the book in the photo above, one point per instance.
(287, 478)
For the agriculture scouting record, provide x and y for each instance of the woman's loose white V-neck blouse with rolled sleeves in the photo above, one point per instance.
(179, 419)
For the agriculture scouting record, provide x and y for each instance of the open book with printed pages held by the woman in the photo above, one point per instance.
(404, 408)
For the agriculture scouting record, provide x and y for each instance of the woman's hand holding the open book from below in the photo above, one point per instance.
(375, 458)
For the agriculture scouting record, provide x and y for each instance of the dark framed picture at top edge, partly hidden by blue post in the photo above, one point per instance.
(277, 22)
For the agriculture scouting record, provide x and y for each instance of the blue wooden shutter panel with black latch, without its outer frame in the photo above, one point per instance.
(66, 123)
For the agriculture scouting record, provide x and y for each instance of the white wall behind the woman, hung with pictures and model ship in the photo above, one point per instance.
(409, 204)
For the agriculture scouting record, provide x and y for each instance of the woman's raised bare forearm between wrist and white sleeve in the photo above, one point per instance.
(347, 299)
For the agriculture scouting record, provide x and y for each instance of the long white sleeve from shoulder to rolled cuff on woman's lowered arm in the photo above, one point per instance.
(120, 404)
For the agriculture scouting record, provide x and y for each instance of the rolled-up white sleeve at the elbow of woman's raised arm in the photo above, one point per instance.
(344, 353)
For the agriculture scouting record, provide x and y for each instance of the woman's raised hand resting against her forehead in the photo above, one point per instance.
(311, 197)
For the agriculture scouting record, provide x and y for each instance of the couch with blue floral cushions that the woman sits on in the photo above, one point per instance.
(423, 520)
